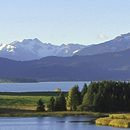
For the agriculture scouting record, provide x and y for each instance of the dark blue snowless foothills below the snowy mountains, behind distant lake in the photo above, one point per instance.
(115, 66)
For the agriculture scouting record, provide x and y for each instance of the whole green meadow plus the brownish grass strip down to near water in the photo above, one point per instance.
(24, 105)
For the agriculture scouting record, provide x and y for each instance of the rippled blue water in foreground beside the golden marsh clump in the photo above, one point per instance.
(50, 123)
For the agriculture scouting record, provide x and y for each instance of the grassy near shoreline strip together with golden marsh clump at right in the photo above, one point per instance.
(102, 119)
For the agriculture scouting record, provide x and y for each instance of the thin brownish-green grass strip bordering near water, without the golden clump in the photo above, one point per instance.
(31, 113)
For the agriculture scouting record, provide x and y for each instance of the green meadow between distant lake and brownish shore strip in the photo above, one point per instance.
(25, 101)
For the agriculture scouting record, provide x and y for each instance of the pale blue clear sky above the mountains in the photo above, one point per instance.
(64, 21)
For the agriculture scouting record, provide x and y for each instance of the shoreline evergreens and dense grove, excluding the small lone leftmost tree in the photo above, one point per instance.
(100, 96)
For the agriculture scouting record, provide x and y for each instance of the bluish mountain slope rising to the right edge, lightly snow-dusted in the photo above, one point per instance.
(121, 42)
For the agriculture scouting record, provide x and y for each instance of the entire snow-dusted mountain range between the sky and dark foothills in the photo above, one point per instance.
(31, 49)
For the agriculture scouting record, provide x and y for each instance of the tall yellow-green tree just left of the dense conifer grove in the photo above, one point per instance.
(75, 98)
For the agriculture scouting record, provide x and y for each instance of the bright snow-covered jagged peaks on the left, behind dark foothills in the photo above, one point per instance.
(30, 49)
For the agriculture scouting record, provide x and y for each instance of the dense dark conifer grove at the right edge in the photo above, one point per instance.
(108, 96)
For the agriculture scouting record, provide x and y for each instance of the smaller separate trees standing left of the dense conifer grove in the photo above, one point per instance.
(60, 103)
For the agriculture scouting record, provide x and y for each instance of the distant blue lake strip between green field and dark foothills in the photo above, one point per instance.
(41, 86)
